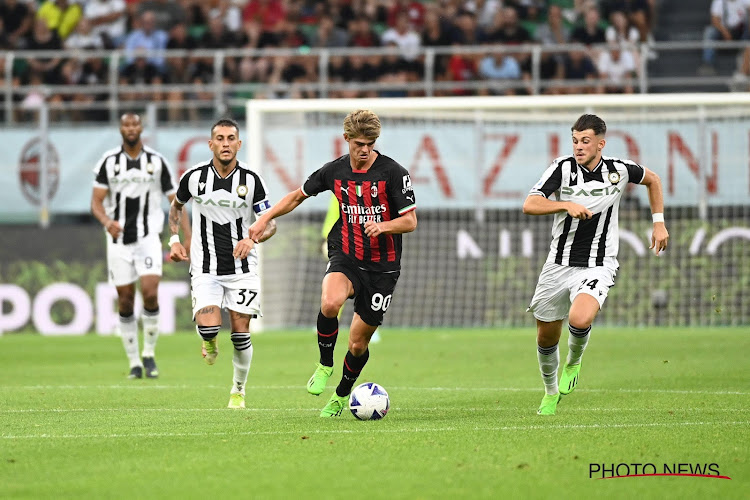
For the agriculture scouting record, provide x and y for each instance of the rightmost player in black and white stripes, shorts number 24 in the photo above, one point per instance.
(583, 191)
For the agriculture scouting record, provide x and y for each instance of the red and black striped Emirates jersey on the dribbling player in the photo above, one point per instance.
(381, 193)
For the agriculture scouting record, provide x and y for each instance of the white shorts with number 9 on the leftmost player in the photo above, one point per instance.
(126, 263)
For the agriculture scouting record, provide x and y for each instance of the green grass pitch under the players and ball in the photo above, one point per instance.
(462, 420)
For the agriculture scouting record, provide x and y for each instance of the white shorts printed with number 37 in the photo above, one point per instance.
(236, 292)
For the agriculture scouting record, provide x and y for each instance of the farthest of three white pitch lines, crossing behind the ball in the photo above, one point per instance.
(397, 388)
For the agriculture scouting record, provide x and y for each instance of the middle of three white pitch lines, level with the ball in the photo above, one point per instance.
(401, 409)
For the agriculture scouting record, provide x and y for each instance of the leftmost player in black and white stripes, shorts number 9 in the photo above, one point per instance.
(130, 183)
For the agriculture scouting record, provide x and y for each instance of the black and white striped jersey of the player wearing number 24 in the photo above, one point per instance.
(595, 241)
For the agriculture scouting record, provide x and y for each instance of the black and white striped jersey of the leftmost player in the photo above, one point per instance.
(135, 191)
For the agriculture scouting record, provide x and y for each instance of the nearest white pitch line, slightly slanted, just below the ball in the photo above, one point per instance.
(370, 430)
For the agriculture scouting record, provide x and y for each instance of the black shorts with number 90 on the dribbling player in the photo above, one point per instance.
(372, 290)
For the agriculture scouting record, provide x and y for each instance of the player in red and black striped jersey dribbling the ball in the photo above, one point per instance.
(377, 205)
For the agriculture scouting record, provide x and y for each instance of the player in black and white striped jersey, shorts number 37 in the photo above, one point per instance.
(227, 196)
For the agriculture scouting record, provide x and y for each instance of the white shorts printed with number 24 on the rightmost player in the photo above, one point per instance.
(558, 287)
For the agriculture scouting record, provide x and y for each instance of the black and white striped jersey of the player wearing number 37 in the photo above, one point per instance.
(222, 208)
